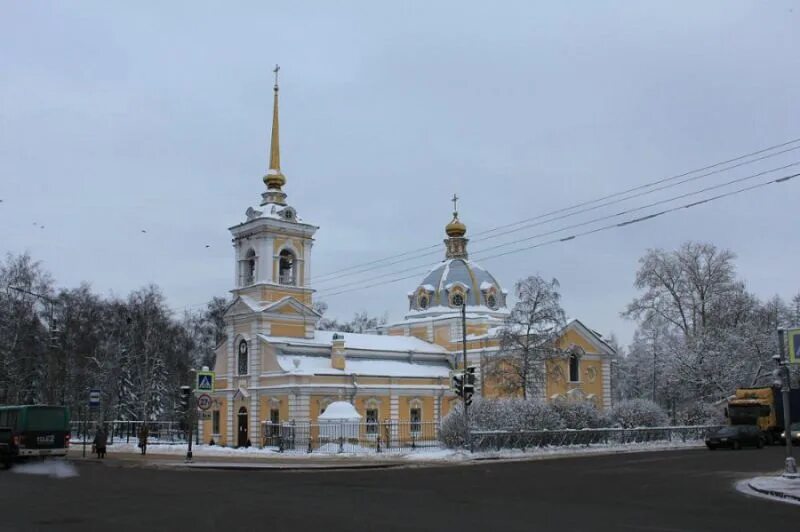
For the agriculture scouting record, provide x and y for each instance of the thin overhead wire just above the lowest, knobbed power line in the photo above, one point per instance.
(575, 226)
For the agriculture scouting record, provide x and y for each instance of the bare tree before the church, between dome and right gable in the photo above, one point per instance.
(528, 337)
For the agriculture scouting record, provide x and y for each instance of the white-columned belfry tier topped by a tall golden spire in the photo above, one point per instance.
(272, 247)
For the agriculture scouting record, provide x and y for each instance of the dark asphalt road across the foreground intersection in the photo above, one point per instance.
(678, 490)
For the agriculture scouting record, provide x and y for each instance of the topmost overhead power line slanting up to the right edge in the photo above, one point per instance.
(583, 204)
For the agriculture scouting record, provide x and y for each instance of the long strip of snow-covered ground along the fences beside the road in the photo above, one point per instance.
(419, 454)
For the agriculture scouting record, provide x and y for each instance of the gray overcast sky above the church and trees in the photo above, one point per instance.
(155, 115)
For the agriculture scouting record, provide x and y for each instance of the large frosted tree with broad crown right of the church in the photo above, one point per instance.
(701, 334)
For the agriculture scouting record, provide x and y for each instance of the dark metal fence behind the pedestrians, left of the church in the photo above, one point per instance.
(159, 432)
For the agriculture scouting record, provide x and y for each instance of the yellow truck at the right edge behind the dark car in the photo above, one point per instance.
(763, 407)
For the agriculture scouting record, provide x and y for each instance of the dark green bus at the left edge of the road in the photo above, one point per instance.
(36, 430)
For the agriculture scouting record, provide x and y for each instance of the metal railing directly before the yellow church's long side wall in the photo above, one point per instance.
(333, 438)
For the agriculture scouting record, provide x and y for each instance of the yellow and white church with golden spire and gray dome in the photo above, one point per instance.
(275, 366)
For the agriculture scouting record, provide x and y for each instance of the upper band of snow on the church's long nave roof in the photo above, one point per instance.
(368, 342)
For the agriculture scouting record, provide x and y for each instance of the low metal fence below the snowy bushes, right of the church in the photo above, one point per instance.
(520, 439)
